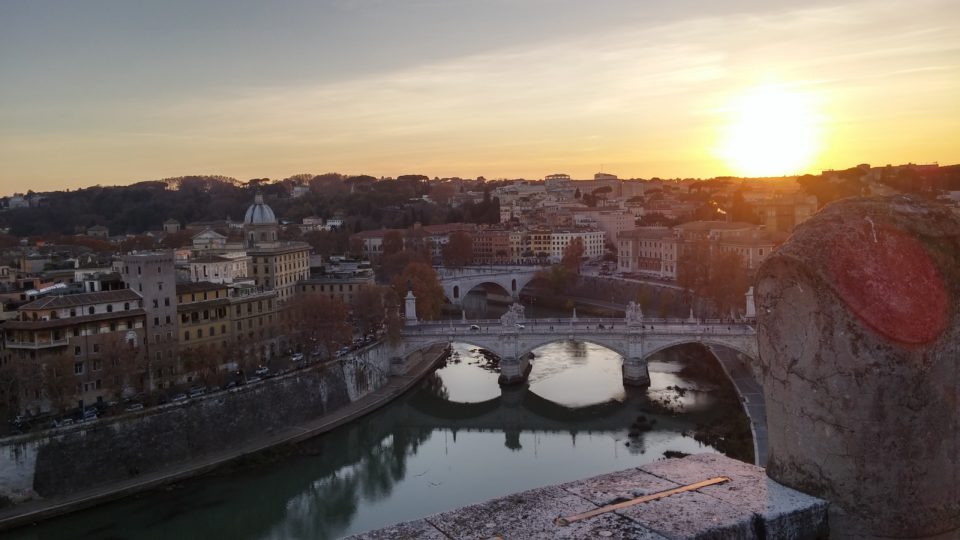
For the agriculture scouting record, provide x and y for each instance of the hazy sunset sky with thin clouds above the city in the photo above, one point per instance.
(111, 92)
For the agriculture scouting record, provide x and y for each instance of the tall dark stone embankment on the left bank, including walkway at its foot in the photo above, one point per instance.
(63, 470)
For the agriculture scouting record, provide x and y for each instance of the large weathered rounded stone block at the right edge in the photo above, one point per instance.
(859, 340)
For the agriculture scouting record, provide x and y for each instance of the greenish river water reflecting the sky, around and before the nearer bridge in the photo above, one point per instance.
(456, 439)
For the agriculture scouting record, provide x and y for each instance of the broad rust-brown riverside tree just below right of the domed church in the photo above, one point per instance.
(317, 321)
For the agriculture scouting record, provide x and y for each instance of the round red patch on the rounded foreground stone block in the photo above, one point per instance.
(887, 279)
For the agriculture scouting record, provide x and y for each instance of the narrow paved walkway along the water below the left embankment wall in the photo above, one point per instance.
(29, 512)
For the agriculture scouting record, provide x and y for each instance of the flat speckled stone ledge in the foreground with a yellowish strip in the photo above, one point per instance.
(750, 506)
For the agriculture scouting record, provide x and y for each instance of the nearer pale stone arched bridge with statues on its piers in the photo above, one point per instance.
(513, 337)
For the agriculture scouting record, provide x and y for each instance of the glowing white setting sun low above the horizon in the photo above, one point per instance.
(772, 131)
